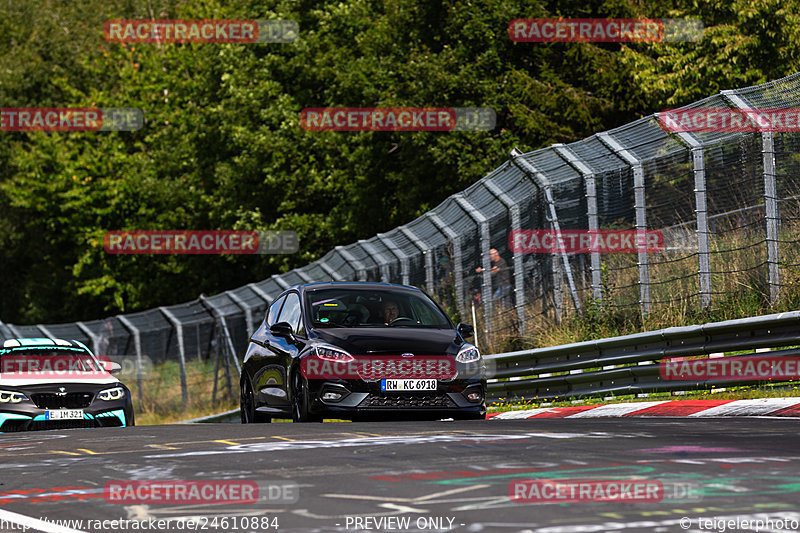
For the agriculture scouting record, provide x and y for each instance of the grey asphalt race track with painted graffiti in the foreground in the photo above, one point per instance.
(438, 476)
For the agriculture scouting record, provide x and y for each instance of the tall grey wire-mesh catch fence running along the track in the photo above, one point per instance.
(727, 204)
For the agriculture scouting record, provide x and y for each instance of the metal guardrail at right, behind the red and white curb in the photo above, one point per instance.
(629, 364)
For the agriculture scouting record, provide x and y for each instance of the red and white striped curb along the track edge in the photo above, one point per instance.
(694, 408)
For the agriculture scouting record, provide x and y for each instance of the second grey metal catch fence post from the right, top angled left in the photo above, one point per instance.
(701, 215)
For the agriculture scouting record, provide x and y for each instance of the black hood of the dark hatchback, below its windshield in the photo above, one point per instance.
(391, 340)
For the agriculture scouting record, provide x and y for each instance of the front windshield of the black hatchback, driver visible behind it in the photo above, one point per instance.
(363, 308)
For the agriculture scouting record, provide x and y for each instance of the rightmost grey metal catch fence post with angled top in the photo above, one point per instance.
(771, 215)
